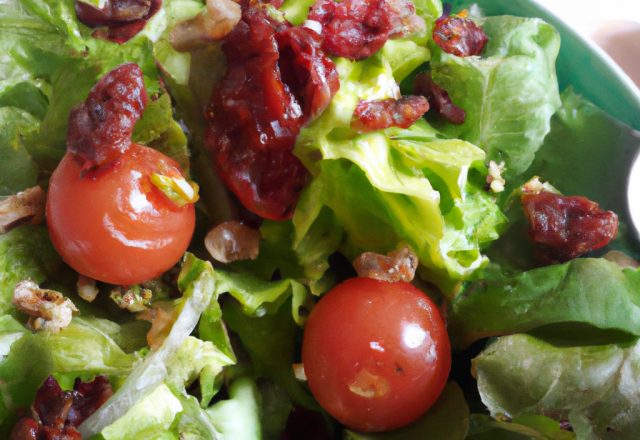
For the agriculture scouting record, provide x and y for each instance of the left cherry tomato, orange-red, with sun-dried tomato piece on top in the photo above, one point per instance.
(112, 224)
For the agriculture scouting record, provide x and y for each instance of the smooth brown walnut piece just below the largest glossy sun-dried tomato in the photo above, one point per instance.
(231, 241)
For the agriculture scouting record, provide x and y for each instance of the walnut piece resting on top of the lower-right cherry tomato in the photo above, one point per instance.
(399, 265)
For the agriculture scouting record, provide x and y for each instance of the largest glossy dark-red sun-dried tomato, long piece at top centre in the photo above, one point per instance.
(277, 78)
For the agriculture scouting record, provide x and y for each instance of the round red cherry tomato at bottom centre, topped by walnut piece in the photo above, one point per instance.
(376, 353)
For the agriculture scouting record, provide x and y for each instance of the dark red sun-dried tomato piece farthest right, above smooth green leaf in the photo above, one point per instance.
(565, 227)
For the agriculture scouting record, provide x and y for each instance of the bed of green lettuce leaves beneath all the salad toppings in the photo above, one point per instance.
(567, 333)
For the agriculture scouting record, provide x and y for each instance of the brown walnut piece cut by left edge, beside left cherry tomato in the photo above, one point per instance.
(26, 207)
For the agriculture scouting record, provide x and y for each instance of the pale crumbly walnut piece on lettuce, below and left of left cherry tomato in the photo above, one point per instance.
(49, 310)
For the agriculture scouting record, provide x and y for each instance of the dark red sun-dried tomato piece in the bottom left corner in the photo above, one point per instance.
(59, 412)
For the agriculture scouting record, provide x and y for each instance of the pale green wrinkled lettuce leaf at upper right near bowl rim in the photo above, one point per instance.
(509, 94)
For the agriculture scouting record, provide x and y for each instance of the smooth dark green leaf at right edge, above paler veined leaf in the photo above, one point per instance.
(585, 290)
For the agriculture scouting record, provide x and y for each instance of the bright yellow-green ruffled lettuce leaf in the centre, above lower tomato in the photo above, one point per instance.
(394, 186)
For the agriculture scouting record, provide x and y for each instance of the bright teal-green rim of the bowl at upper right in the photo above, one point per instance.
(581, 62)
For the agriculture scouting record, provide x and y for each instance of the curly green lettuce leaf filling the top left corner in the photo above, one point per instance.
(44, 44)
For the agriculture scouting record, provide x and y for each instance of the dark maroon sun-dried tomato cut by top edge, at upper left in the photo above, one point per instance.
(123, 19)
